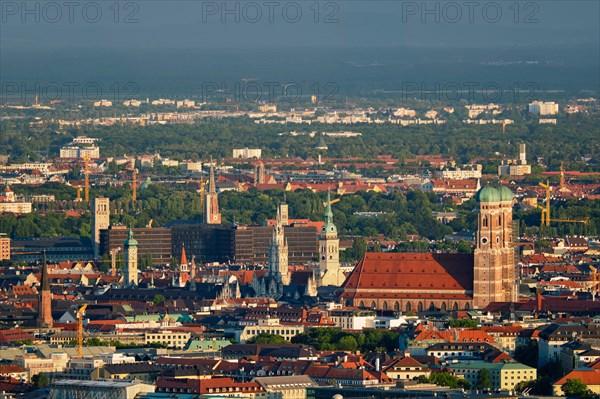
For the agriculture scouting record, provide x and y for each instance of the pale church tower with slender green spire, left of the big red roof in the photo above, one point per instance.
(329, 250)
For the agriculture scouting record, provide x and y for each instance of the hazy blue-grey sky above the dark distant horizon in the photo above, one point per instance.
(203, 24)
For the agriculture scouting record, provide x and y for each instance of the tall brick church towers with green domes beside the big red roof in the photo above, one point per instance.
(493, 273)
